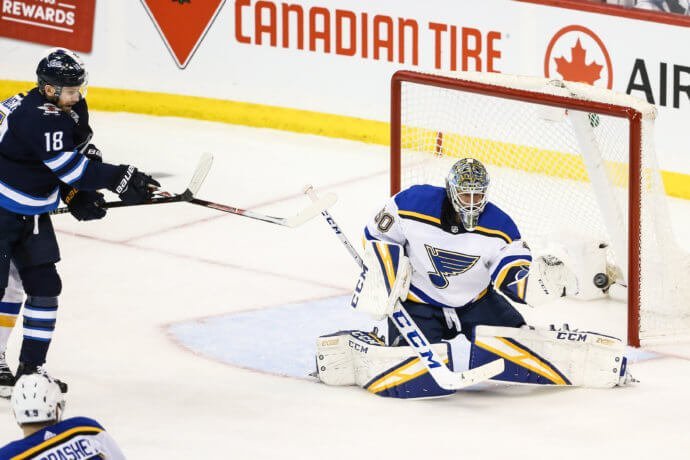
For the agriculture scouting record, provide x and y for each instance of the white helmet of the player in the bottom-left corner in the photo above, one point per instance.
(37, 398)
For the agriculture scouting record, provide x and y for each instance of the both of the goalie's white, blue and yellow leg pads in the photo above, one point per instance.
(532, 356)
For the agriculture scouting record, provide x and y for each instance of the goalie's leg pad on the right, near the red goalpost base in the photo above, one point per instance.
(552, 357)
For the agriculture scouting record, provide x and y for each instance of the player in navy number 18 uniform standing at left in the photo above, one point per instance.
(45, 155)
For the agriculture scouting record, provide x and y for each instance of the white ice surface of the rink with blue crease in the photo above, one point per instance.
(134, 280)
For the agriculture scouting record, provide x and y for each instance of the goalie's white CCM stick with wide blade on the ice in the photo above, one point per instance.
(444, 377)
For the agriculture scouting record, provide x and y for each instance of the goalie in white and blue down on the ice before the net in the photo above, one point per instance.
(457, 264)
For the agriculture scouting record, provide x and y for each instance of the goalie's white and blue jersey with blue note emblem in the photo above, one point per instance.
(452, 267)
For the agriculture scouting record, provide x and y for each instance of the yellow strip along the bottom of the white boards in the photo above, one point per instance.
(307, 122)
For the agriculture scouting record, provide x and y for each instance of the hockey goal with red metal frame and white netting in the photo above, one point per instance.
(564, 159)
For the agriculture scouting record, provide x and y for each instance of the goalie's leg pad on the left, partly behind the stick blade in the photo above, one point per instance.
(362, 359)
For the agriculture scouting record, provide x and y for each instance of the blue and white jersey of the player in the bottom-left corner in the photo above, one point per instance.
(77, 438)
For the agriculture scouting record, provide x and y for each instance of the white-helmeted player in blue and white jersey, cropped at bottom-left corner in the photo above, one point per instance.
(38, 405)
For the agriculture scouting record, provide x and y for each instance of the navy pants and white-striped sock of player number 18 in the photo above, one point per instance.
(30, 243)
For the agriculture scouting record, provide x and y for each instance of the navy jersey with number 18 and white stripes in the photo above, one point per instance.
(38, 154)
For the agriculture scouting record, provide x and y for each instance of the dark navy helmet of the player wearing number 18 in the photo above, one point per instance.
(61, 67)
